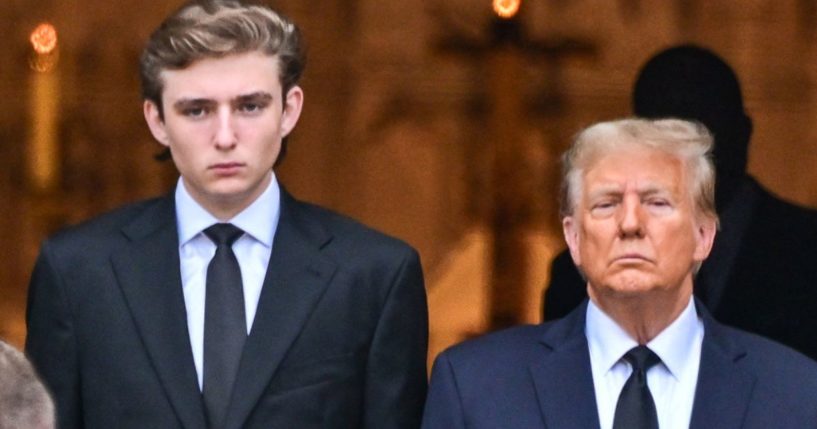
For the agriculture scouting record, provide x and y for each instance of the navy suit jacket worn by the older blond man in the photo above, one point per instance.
(540, 377)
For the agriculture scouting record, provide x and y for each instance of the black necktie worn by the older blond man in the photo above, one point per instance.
(635, 408)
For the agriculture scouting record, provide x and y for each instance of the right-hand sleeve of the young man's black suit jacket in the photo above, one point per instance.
(396, 376)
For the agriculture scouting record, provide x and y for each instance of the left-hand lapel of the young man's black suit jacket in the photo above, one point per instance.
(148, 274)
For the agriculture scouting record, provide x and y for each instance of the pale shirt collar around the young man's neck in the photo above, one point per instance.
(192, 218)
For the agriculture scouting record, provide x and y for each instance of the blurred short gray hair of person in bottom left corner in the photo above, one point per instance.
(24, 401)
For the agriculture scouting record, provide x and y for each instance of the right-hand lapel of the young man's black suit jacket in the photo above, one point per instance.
(296, 278)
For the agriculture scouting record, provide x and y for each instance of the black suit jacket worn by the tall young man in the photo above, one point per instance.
(339, 339)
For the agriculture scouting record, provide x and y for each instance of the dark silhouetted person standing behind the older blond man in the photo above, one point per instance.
(761, 275)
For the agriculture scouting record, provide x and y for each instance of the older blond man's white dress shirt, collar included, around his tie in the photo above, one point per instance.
(672, 382)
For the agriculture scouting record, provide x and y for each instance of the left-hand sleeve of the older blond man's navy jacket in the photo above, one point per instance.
(443, 406)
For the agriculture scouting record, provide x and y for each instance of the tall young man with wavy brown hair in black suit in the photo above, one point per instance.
(227, 303)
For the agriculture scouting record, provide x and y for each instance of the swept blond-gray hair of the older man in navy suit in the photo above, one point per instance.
(689, 141)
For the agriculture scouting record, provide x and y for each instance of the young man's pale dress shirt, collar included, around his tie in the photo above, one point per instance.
(253, 249)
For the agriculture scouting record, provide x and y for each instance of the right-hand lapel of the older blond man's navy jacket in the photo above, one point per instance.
(724, 389)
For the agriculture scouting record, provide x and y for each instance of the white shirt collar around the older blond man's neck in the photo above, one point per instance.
(608, 342)
